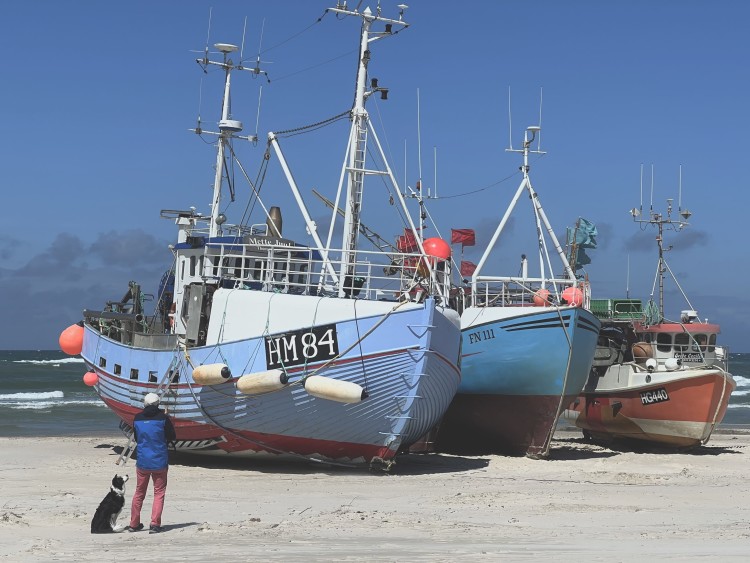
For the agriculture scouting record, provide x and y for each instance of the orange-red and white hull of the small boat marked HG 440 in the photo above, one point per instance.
(679, 410)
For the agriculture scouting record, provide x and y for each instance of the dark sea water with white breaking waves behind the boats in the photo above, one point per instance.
(42, 394)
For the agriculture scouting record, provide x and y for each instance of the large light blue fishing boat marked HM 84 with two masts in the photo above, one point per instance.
(261, 344)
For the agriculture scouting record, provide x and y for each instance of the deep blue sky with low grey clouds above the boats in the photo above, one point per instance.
(97, 99)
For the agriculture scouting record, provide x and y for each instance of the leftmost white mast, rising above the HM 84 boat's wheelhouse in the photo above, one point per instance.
(228, 129)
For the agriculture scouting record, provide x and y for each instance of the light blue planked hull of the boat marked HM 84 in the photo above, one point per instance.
(404, 356)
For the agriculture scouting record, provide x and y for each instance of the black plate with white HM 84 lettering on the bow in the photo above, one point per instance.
(302, 346)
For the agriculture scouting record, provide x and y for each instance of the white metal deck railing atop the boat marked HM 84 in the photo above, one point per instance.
(307, 271)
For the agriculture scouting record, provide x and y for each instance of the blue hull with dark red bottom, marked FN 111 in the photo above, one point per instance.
(520, 366)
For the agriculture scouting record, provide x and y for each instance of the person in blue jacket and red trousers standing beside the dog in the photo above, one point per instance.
(153, 433)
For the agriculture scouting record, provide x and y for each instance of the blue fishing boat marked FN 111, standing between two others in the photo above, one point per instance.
(527, 346)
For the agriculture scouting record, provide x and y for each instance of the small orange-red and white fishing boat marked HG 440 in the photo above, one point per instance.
(657, 381)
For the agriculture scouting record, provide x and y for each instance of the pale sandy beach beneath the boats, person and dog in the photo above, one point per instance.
(586, 502)
